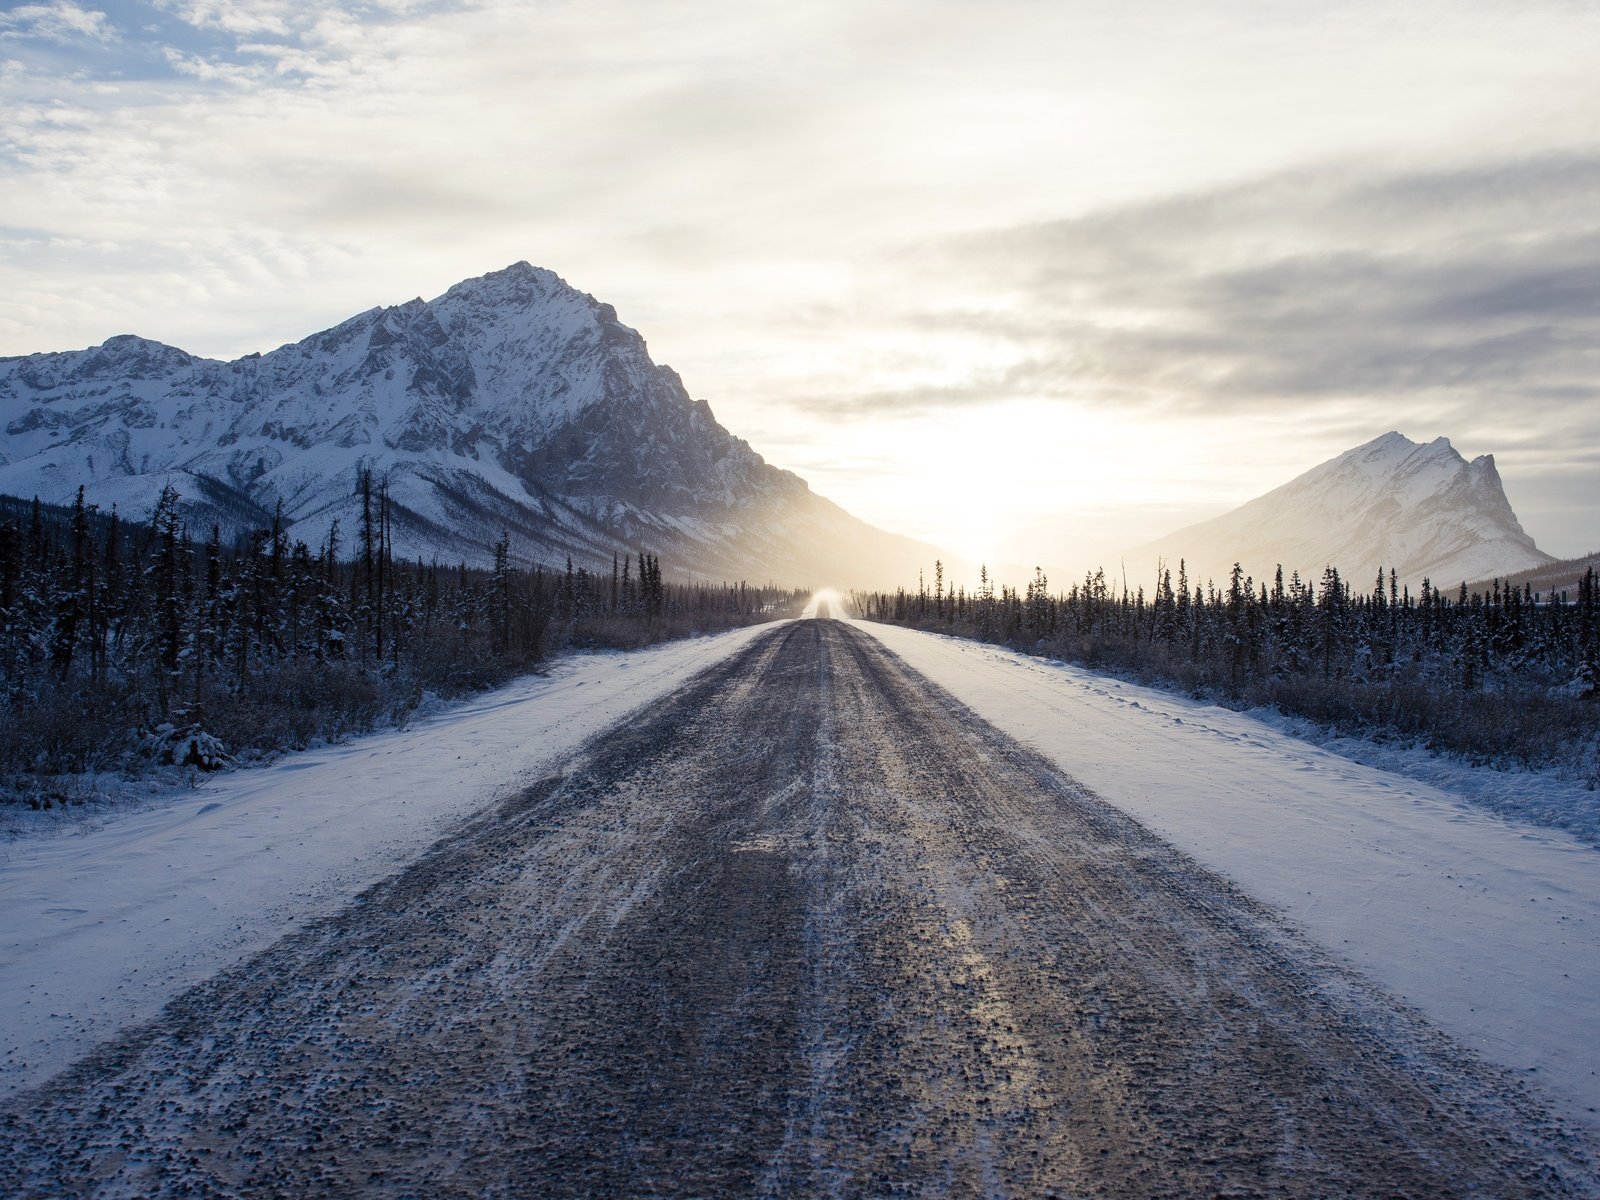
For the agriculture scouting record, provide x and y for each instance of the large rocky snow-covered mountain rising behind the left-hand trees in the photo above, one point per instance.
(513, 402)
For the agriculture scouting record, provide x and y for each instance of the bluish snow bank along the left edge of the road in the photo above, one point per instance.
(102, 930)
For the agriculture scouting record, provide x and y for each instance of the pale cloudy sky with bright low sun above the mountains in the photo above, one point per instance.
(1033, 281)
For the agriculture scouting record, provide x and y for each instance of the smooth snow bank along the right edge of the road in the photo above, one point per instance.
(1490, 929)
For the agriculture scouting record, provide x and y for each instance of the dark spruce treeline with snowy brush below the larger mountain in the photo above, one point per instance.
(122, 644)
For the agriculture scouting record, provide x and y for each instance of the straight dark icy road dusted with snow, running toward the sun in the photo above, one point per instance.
(806, 929)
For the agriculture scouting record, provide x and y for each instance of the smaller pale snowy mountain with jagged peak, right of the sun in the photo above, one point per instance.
(1420, 510)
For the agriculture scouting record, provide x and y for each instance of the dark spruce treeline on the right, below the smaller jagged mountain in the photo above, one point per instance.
(1495, 676)
